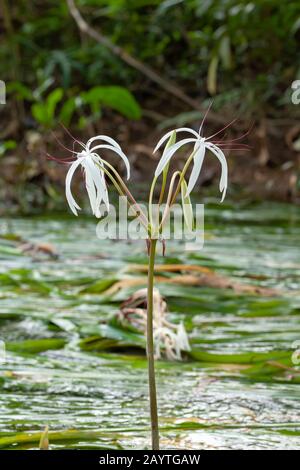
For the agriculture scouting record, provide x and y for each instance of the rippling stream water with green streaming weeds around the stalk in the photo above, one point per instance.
(103, 396)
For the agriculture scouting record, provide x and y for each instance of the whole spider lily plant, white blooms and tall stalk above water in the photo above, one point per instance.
(97, 169)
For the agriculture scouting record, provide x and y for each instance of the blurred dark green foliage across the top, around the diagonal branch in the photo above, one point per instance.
(246, 53)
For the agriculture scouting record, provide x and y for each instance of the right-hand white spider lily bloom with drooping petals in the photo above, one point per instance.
(201, 144)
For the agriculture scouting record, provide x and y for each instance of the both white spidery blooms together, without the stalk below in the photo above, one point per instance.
(96, 168)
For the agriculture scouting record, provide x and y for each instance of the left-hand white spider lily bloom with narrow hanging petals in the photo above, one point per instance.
(93, 165)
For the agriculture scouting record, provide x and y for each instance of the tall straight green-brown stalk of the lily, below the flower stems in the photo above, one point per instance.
(150, 348)
